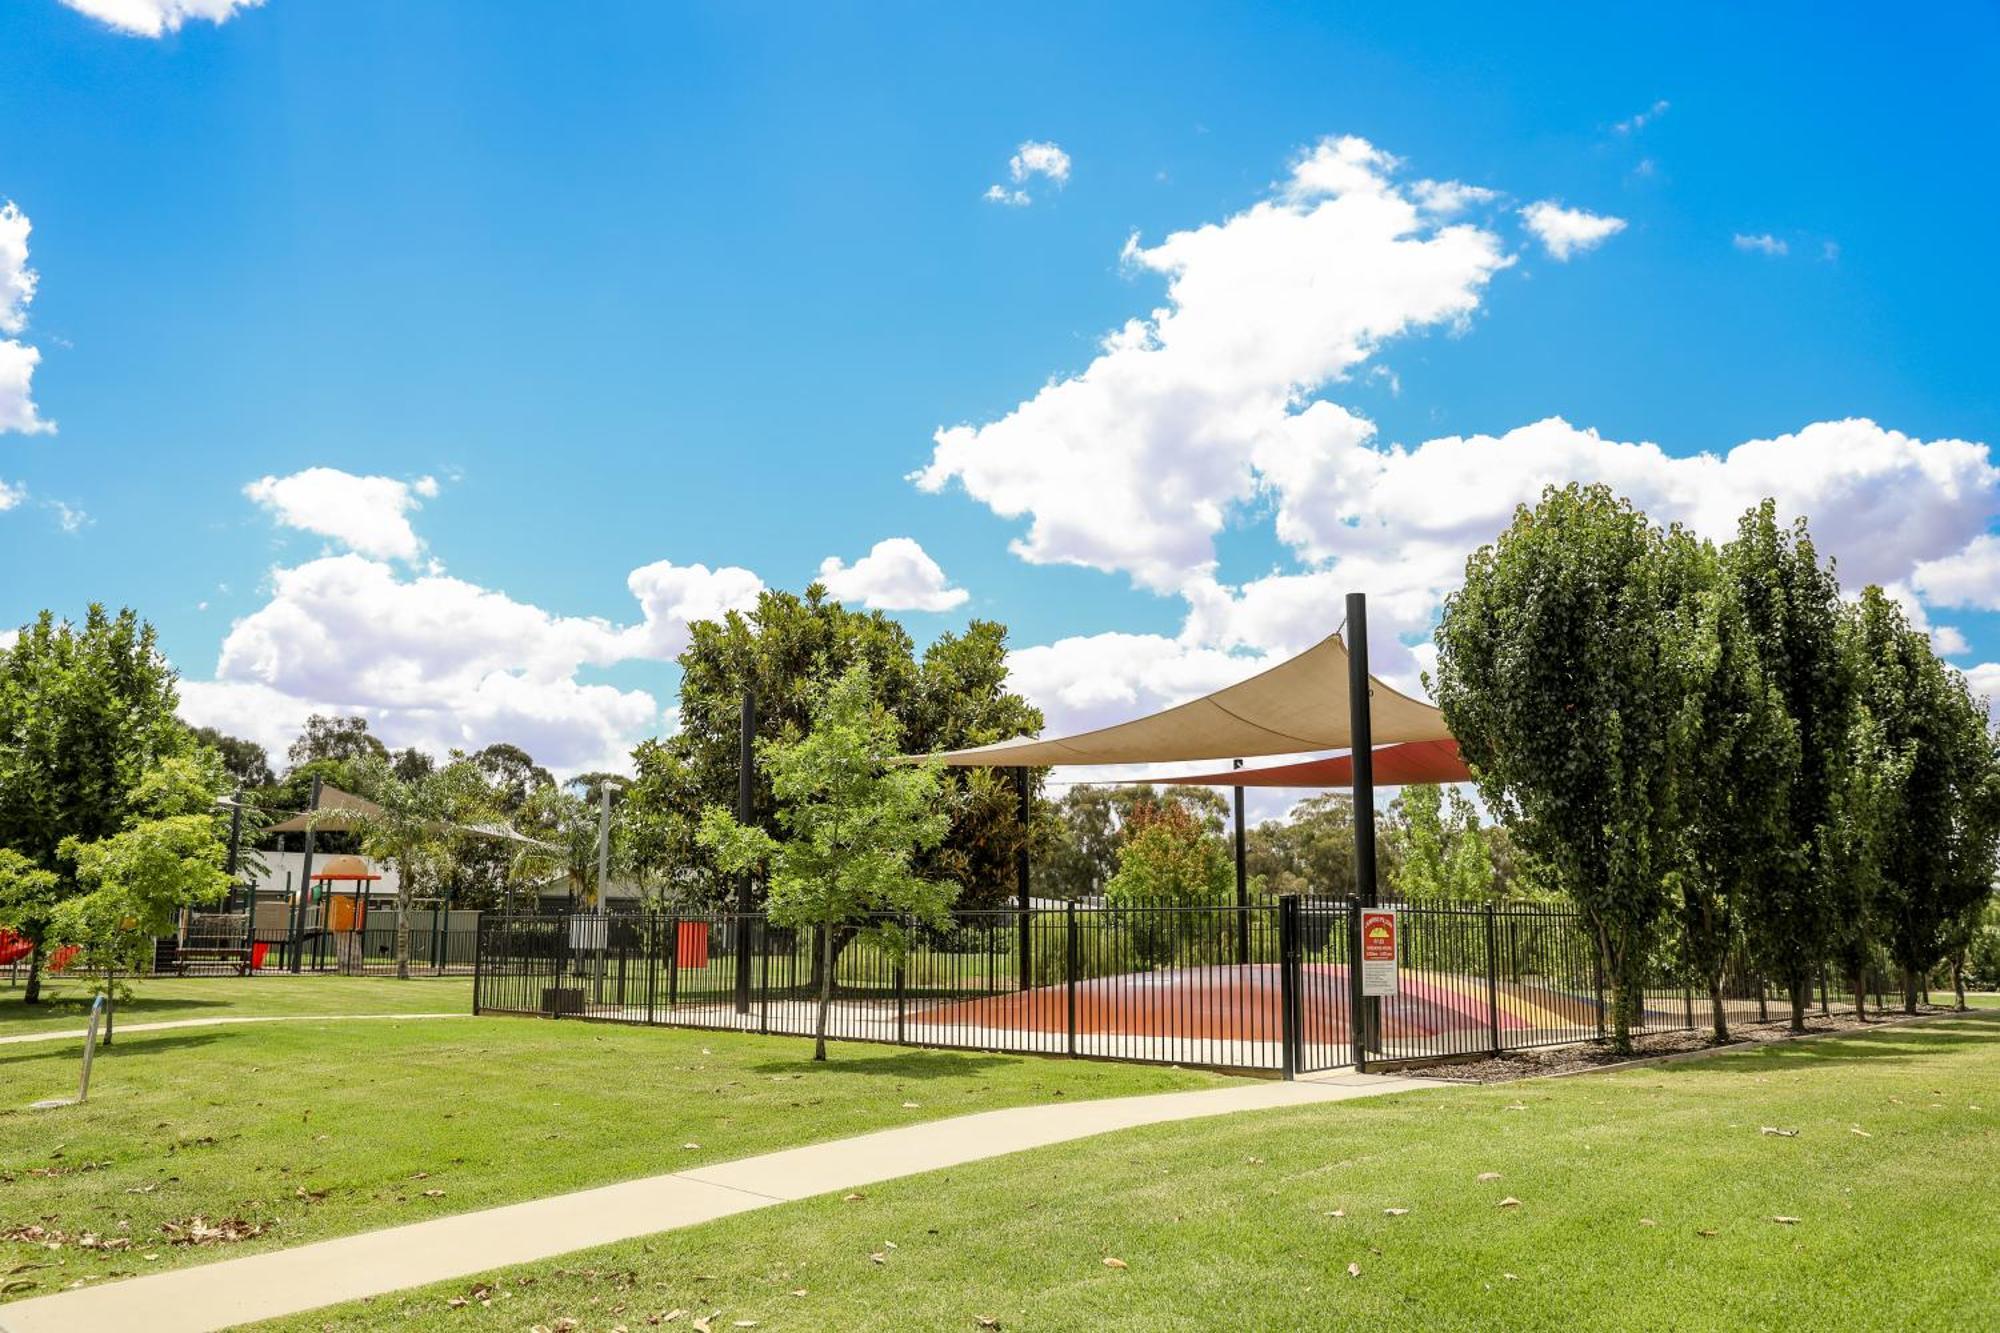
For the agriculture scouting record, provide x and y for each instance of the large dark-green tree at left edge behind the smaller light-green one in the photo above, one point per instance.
(85, 714)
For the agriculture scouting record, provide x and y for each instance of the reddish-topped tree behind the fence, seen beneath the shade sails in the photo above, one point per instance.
(1169, 858)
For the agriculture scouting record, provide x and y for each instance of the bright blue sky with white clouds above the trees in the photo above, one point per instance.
(651, 287)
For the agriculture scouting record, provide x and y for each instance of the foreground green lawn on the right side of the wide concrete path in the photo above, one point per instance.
(1829, 1184)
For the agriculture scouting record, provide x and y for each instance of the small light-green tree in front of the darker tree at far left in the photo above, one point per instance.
(137, 882)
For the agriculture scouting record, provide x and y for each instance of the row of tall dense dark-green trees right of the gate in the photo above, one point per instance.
(1713, 754)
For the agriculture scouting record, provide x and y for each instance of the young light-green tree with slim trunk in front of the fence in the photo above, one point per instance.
(849, 832)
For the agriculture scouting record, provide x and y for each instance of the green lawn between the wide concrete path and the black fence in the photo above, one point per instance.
(319, 1130)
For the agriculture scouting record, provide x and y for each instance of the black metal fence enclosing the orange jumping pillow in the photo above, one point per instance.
(1265, 988)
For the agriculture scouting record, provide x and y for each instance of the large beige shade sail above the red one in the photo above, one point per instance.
(1297, 706)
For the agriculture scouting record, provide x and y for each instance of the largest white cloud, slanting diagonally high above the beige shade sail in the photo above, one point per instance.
(1137, 461)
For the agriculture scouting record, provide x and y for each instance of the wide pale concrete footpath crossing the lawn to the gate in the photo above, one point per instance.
(311, 1276)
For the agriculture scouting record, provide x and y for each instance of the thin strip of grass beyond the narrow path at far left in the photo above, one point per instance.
(67, 1000)
